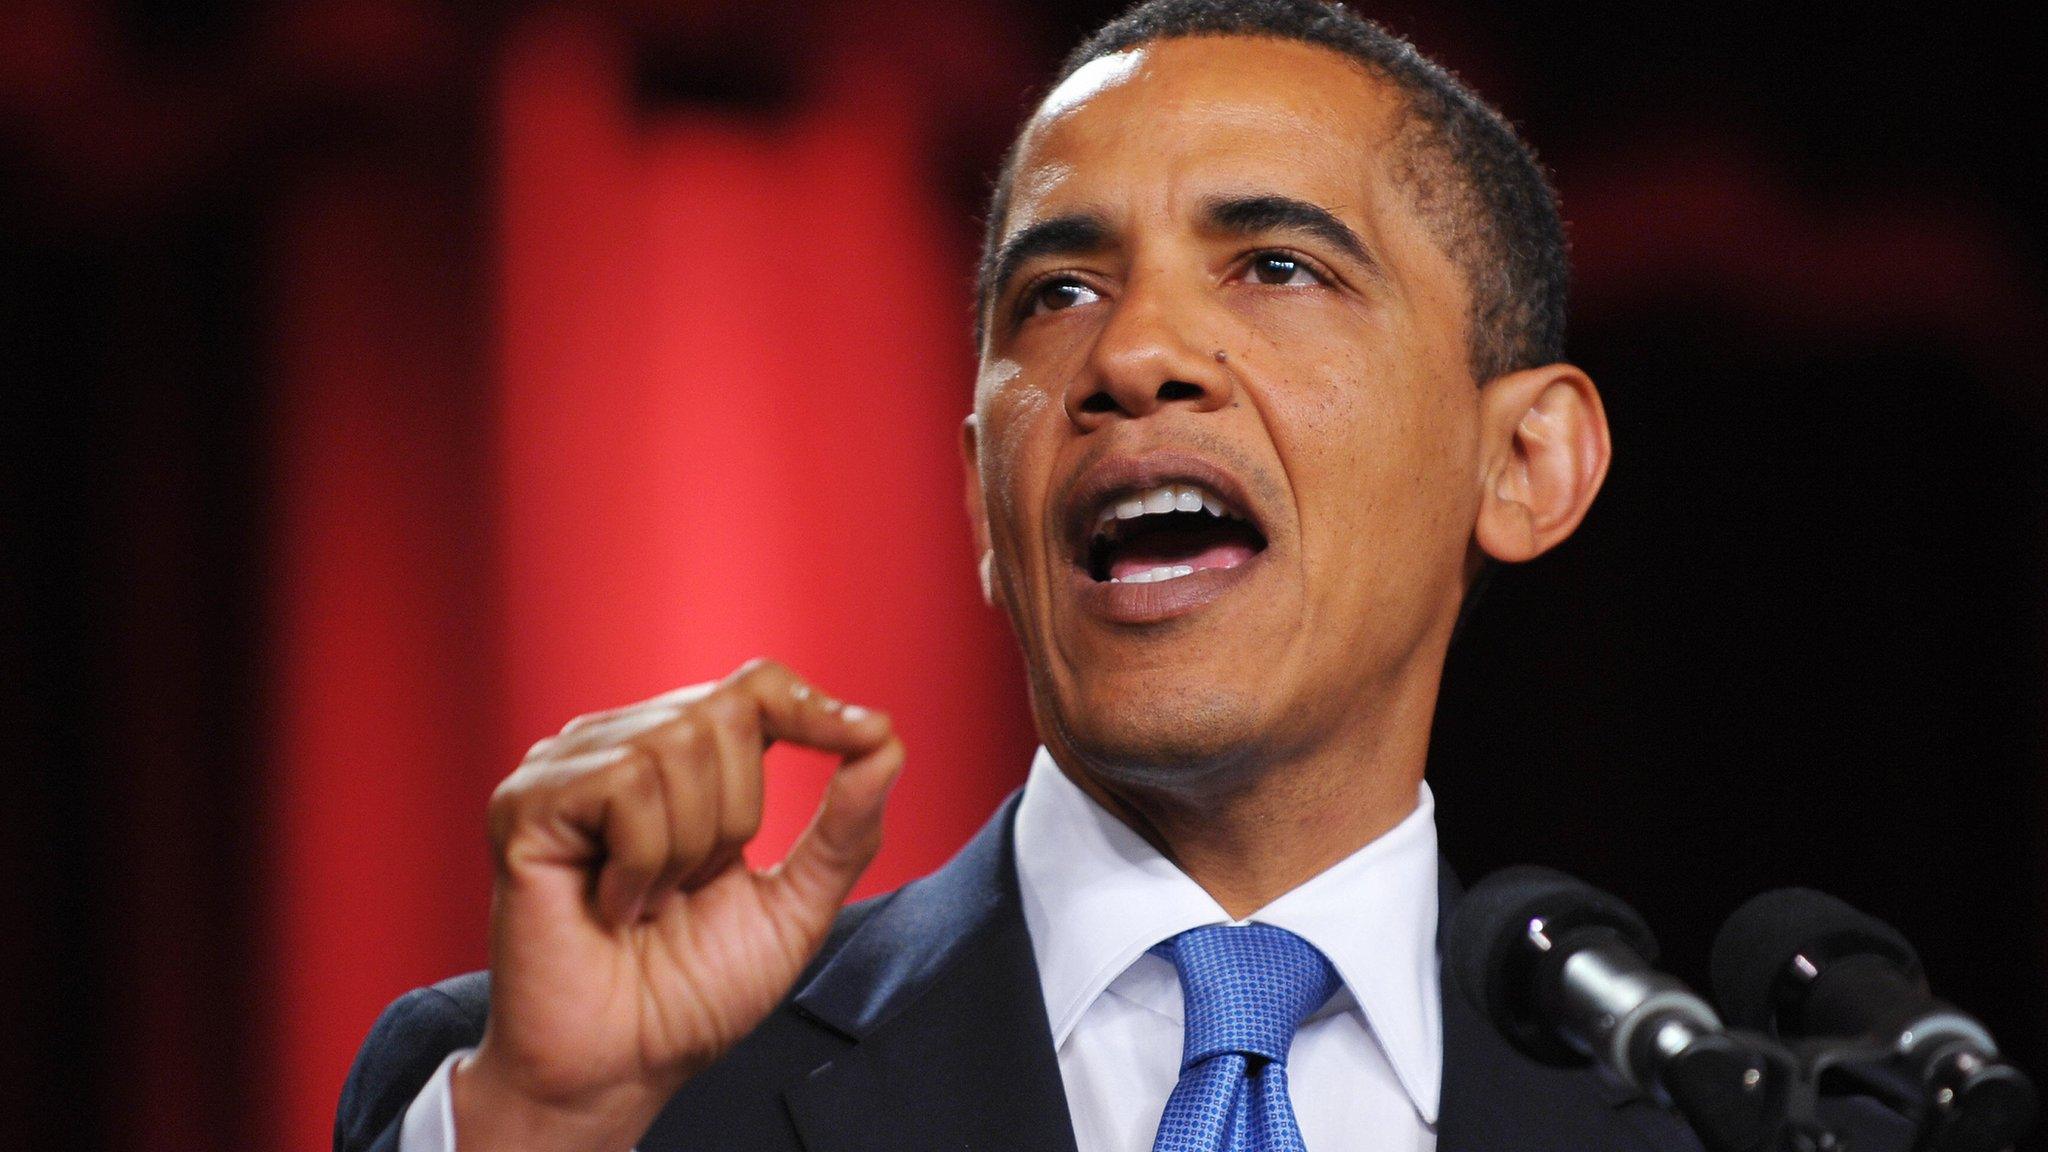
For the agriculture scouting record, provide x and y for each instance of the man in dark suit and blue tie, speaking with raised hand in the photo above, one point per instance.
(1271, 370)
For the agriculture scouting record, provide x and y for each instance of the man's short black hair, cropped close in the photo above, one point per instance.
(1474, 179)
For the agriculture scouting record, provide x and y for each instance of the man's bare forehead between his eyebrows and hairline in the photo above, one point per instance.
(1175, 122)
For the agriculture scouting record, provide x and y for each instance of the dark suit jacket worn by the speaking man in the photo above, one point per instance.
(921, 1026)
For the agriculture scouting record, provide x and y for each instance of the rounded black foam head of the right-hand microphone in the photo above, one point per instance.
(1754, 952)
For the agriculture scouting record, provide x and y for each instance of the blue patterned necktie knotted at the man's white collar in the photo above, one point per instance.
(1246, 991)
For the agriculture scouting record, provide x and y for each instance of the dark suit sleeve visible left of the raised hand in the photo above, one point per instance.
(404, 1048)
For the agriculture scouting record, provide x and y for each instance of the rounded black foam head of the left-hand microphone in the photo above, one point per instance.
(1492, 954)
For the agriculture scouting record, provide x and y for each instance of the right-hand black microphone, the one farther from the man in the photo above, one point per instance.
(1805, 966)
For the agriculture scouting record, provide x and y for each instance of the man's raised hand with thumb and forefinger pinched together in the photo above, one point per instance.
(632, 946)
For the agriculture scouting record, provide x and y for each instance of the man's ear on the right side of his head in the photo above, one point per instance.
(1545, 458)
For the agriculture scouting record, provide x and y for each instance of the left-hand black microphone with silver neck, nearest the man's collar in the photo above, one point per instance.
(1564, 971)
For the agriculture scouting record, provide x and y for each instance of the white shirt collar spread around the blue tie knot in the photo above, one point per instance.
(1097, 897)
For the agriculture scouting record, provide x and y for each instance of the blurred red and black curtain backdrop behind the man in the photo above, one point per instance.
(388, 382)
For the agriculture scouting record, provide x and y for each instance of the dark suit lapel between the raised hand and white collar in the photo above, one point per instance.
(941, 997)
